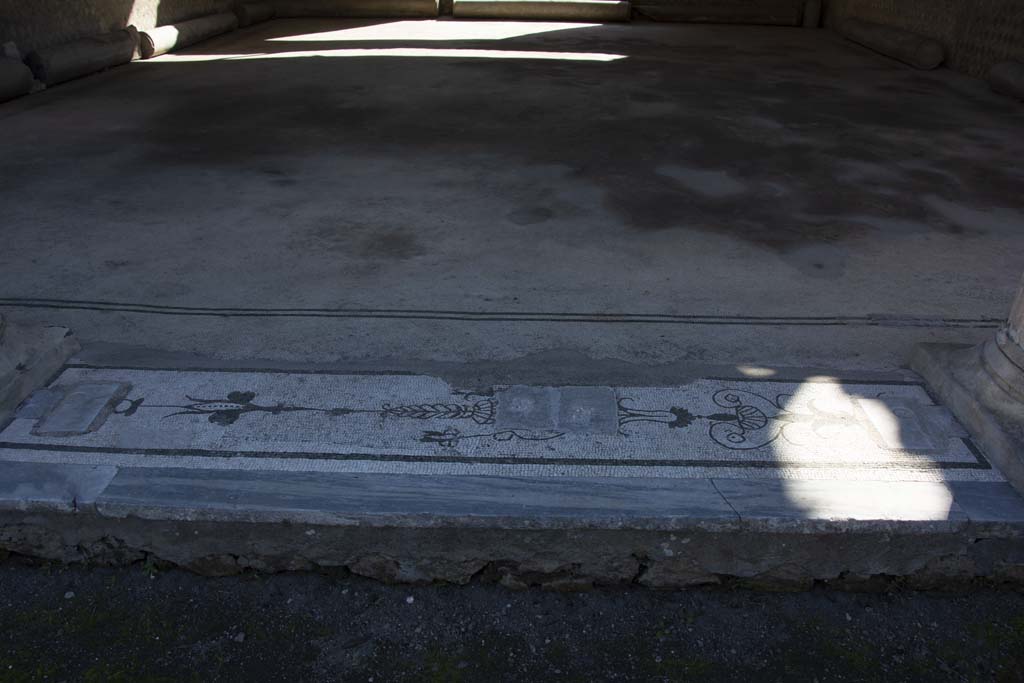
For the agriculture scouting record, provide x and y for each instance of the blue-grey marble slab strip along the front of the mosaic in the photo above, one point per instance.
(420, 500)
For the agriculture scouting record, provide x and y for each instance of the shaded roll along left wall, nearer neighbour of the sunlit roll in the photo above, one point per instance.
(88, 56)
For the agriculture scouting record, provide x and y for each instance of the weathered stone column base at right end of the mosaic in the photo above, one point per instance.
(983, 397)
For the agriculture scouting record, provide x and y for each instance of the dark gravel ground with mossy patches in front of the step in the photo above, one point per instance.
(141, 624)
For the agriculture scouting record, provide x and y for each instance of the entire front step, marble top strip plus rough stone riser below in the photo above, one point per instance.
(398, 529)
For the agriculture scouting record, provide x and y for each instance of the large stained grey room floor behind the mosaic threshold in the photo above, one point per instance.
(386, 192)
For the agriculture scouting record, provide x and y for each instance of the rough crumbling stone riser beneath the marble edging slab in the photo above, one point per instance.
(516, 558)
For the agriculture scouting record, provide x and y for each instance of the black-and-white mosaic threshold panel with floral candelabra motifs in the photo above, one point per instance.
(419, 424)
